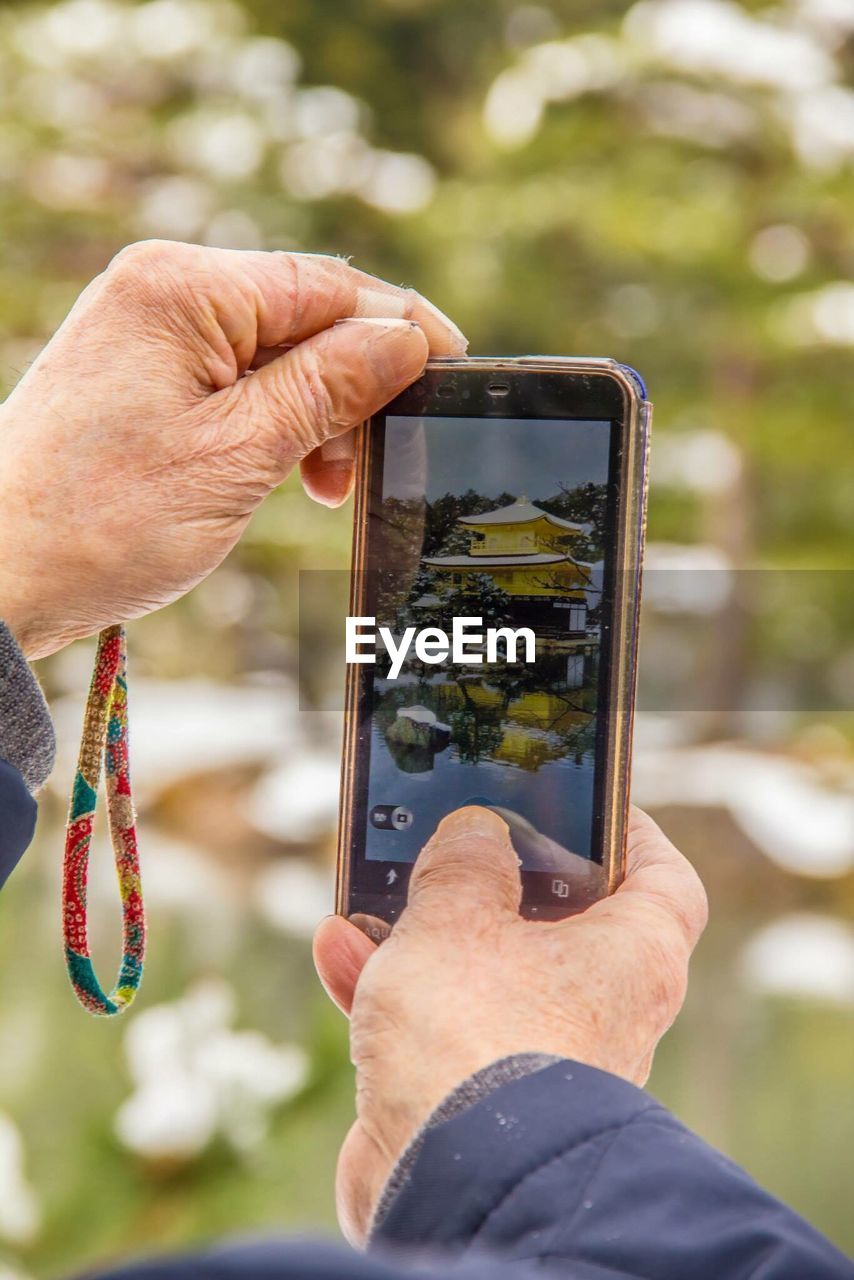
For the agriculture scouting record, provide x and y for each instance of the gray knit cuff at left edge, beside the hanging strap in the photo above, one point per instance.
(28, 739)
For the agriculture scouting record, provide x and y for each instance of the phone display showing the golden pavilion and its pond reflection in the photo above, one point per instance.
(510, 522)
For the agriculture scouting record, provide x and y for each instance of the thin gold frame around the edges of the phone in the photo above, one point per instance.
(629, 548)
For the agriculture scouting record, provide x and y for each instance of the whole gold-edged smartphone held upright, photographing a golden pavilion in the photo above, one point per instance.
(497, 500)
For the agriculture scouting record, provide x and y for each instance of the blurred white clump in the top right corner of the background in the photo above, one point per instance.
(787, 56)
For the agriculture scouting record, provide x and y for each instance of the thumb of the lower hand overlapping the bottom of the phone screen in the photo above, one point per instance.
(469, 865)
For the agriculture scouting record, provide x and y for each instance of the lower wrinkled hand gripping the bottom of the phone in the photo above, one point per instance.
(464, 981)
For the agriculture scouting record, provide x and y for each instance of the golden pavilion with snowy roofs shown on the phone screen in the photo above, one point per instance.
(528, 555)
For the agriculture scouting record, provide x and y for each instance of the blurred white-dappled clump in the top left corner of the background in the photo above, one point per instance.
(97, 71)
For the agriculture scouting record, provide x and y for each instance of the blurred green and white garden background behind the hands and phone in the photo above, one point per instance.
(669, 182)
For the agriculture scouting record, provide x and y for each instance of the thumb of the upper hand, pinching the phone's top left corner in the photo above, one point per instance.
(326, 386)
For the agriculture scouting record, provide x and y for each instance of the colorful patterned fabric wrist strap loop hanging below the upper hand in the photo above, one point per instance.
(106, 737)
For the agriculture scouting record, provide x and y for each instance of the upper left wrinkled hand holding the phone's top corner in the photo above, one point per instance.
(135, 450)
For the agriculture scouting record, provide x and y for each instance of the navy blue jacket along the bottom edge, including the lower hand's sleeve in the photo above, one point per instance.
(568, 1173)
